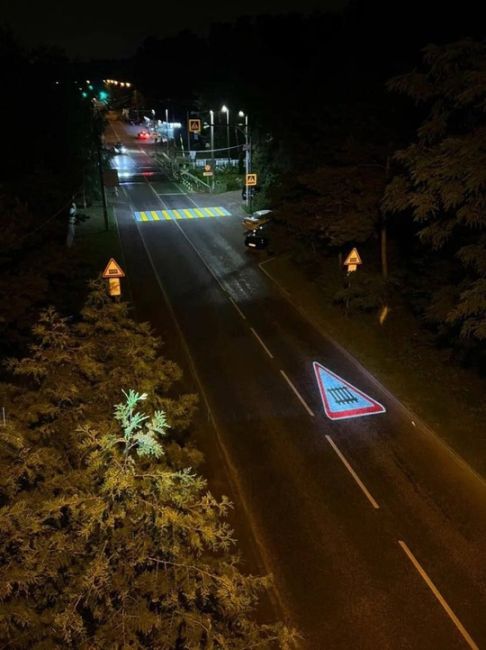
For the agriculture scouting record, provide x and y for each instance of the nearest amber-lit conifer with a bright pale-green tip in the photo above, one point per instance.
(118, 549)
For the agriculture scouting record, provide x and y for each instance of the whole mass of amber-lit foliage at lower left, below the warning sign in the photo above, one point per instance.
(108, 538)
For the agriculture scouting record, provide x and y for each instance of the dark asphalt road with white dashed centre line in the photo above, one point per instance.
(373, 530)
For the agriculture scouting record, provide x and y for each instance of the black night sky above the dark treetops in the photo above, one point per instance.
(94, 29)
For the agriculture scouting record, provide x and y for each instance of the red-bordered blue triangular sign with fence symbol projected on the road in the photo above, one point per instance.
(342, 400)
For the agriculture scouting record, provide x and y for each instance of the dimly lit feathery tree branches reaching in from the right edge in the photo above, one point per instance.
(443, 179)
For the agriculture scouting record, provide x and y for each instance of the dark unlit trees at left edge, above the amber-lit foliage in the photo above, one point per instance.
(48, 157)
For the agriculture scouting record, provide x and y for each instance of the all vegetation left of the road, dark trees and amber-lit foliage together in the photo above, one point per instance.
(109, 537)
